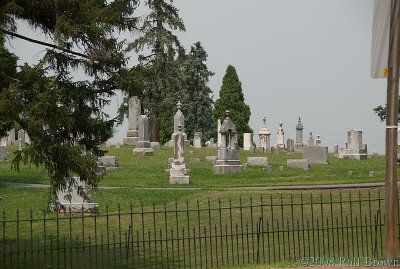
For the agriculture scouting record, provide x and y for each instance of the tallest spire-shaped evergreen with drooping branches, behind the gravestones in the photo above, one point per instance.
(158, 37)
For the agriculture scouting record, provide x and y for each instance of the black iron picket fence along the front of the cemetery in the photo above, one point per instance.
(201, 234)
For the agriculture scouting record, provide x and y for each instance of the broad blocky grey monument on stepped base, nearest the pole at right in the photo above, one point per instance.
(355, 149)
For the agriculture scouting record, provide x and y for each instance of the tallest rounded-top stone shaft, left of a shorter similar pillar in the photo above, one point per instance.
(134, 112)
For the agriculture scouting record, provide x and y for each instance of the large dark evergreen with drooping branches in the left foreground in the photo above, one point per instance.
(62, 115)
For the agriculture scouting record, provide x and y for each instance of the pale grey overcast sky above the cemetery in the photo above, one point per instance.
(308, 59)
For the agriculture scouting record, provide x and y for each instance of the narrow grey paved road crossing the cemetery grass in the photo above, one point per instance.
(299, 187)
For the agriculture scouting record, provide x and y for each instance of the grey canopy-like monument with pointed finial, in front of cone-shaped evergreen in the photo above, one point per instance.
(228, 160)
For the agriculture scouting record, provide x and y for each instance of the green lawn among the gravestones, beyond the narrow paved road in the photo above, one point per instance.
(148, 172)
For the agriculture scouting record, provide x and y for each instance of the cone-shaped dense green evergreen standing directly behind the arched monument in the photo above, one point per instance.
(231, 98)
